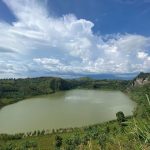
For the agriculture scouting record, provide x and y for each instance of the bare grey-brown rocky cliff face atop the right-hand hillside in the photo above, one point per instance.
(141, 79)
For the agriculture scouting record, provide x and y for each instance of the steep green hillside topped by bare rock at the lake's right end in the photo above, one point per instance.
(139, 91)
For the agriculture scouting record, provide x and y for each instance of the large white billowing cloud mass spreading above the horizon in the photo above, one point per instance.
(39, 42)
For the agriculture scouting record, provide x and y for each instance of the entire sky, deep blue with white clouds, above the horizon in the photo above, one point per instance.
(66, 37)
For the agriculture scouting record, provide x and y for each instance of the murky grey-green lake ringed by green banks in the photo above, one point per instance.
(74, 108)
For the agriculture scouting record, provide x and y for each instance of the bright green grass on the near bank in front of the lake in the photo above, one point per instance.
(135, 135)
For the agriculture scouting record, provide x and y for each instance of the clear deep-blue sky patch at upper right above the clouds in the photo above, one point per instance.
(109, 16)
